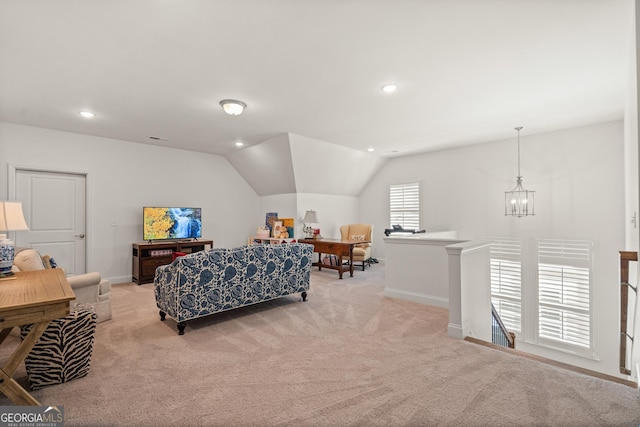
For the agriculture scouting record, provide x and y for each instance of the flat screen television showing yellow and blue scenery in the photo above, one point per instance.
(171, 223)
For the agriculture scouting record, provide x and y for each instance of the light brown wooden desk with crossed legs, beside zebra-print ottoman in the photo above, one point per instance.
(35, 297)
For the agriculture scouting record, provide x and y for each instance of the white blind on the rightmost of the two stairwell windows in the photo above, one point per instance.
(564, 291)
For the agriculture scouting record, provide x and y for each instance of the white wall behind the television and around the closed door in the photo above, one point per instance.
(123, 177)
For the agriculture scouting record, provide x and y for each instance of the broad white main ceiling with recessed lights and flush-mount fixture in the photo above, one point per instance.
(467, 71)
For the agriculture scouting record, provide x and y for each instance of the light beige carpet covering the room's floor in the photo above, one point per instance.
(347, 357)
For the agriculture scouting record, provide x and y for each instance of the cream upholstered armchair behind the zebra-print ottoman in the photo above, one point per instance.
(89, 288)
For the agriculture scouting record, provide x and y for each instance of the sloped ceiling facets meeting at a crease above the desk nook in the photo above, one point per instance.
(292, 163)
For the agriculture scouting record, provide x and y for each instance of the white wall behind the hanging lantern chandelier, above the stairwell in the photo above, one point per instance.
(579, 182)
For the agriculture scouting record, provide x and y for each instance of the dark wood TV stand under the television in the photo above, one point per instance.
(148, 256)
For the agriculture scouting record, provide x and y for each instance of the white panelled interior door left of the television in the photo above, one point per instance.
(54, 208)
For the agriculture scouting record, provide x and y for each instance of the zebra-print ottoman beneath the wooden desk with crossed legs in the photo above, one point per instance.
(63, 353)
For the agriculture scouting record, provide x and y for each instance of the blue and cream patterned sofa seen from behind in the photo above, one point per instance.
(216, 280)
